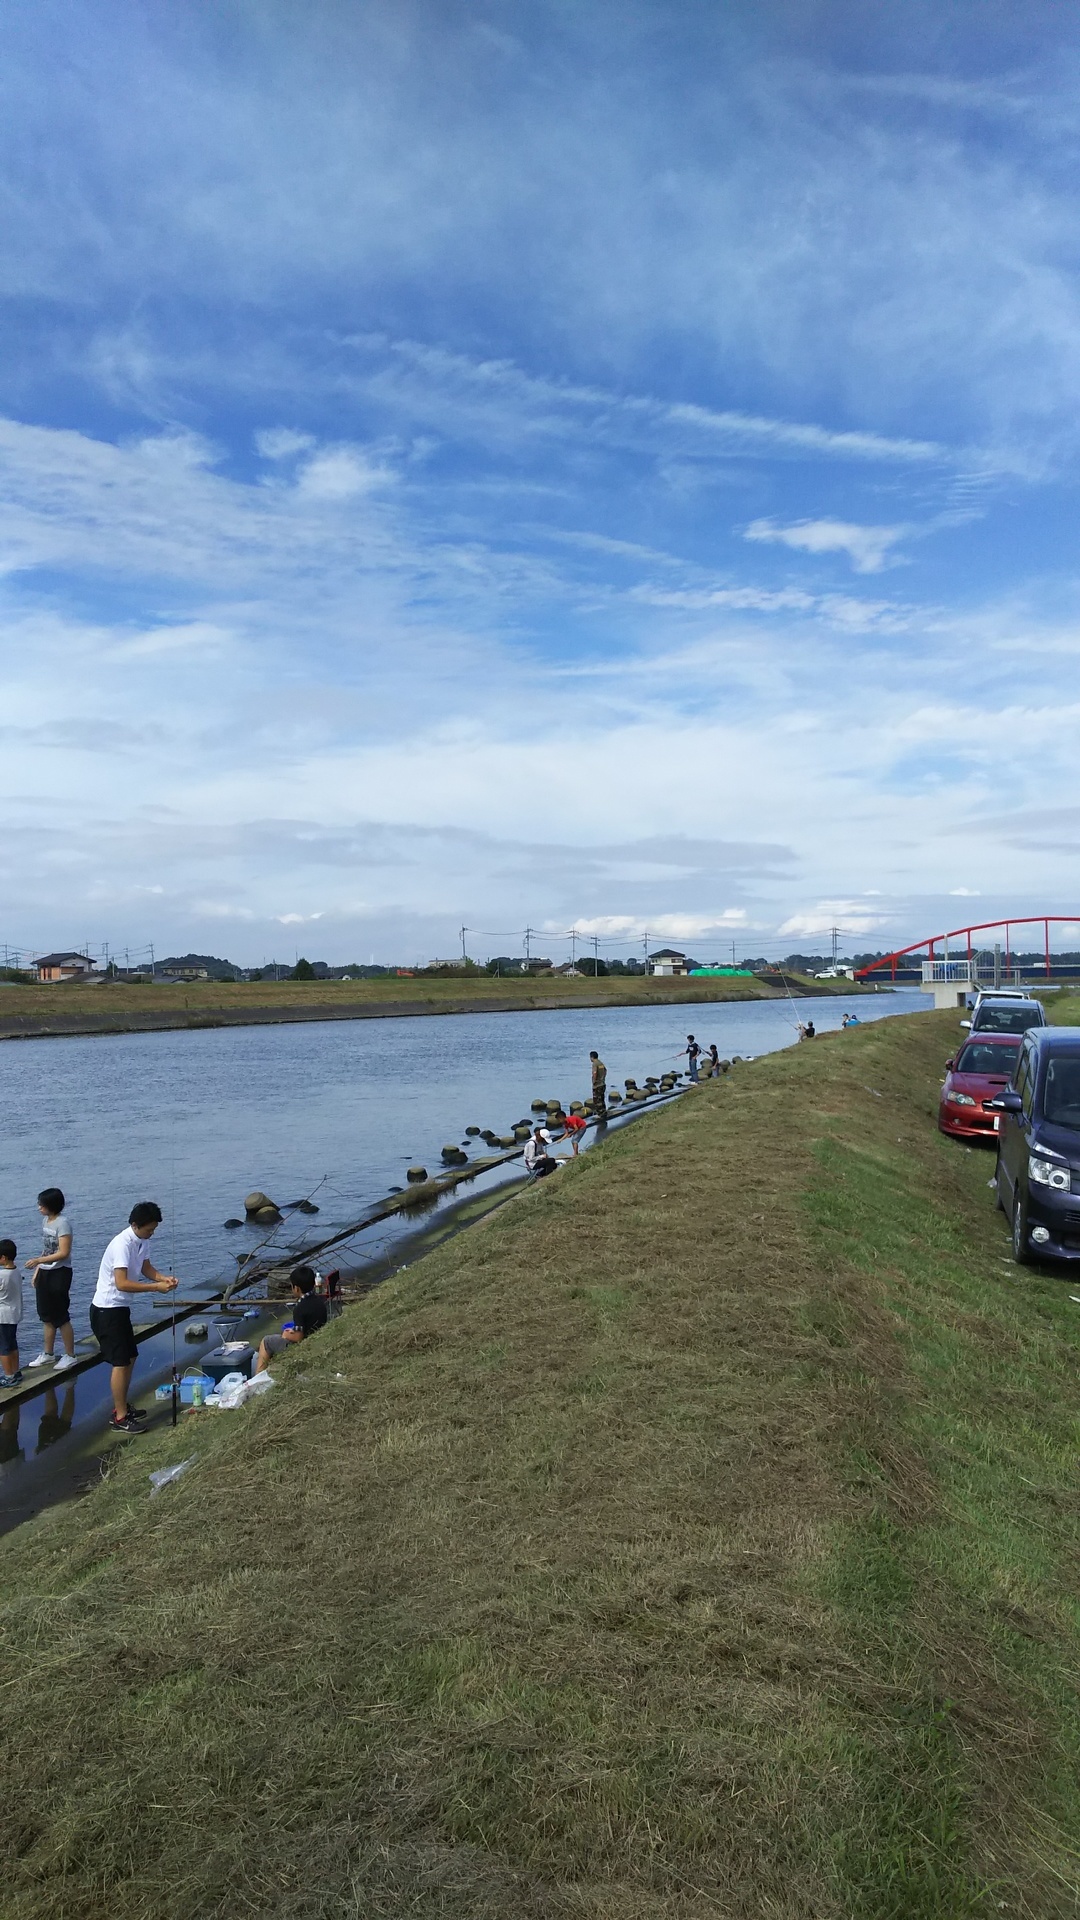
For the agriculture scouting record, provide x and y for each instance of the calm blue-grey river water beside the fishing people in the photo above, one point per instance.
(195, 1120)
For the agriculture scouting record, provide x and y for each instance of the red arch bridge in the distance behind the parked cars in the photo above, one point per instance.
(954, 965)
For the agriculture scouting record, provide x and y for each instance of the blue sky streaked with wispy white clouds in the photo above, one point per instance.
(589, 464)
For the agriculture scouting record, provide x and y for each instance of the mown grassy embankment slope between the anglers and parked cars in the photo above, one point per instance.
(695, 1539)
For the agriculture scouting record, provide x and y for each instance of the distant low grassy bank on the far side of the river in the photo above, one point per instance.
(122, 1007)
